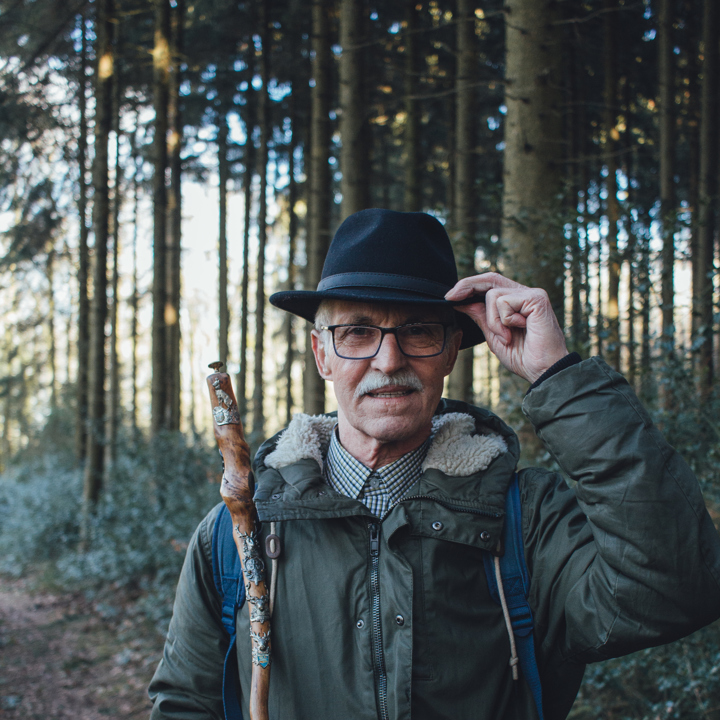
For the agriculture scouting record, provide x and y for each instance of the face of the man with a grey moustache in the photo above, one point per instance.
(398, 413)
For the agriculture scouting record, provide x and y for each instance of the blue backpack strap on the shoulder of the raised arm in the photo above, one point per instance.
(516, 584)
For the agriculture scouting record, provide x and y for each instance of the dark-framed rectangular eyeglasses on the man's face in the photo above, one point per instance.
(361, 342)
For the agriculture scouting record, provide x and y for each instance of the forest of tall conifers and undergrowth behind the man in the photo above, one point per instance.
(167, 165)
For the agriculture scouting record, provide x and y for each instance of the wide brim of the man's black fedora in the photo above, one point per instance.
(305, 303)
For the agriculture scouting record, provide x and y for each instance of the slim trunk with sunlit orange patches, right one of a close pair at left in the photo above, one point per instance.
(174, 236)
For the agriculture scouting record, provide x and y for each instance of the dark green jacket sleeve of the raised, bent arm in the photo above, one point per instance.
(629, 558)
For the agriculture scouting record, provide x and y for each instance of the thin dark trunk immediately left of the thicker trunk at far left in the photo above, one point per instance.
(83, 340)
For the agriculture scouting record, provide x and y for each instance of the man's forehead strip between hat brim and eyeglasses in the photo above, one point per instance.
(338, 312)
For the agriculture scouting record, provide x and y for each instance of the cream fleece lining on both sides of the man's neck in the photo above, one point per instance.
(456, 448)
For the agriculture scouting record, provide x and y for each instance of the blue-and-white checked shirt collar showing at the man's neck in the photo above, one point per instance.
(378, 489)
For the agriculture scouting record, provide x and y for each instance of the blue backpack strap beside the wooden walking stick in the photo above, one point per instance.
(227, 574)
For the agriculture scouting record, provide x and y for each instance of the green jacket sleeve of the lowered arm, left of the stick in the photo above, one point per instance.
(187, 684)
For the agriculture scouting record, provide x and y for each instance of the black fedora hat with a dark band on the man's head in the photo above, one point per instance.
(385, 256)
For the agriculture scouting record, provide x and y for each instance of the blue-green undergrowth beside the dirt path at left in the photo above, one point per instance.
(136, 536)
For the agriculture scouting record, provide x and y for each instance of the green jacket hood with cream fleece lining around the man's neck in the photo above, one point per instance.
(470, 462)
